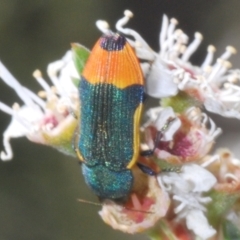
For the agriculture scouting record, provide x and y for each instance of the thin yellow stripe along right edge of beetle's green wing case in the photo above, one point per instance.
(136, 136)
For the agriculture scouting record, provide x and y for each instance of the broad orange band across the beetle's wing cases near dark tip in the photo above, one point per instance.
(120, 68)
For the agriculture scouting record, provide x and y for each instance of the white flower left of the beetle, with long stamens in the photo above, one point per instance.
(40, 120)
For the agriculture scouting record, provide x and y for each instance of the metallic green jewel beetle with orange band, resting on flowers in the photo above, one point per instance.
(111, 96)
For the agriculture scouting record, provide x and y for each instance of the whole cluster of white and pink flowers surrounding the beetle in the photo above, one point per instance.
(193, 193)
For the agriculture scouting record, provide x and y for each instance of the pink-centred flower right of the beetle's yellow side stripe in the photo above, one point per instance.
(185, 138)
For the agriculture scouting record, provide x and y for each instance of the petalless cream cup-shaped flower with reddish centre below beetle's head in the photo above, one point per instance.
(154, 200)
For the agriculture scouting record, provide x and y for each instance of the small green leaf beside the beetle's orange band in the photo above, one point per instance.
(80, 56)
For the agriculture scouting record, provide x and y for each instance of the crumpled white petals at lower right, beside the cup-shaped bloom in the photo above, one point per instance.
(187, 187)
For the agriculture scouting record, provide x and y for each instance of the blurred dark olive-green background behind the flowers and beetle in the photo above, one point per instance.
(40, 186)
